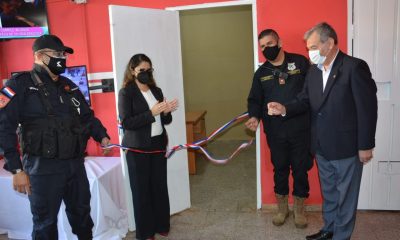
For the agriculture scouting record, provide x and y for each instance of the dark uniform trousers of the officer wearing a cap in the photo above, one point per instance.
(72, 187)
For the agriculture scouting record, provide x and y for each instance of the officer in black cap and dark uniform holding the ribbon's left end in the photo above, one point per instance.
(55, 123)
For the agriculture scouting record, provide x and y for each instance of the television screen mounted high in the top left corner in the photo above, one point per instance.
(23, 19)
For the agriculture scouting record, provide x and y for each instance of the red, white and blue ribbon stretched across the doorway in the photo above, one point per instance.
(198, 144)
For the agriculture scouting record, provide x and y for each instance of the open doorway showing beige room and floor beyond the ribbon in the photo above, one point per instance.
(218, 65)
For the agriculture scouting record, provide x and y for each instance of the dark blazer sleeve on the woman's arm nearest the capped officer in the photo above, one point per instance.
(129, 119)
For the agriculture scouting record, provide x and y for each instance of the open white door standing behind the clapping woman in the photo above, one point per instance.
(155, 33)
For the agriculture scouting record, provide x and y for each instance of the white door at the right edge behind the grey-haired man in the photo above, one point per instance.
(376, 39)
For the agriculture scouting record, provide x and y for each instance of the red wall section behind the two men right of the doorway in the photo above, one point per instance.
(292, 19)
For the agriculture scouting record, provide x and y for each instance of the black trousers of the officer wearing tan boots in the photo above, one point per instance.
(291, 152)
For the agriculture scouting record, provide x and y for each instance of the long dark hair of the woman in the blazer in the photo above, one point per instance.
(135, 60)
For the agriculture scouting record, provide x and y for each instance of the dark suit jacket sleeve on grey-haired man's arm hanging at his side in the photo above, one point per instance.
(364, 94)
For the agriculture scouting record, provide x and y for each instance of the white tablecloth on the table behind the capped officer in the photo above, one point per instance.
(108, 208)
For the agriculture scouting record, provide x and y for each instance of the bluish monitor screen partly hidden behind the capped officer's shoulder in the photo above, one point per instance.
(79, 76)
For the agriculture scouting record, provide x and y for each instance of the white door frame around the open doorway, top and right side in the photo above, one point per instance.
(256, 62)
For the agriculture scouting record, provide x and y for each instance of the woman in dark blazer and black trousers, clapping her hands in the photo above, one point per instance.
(143, 112)
